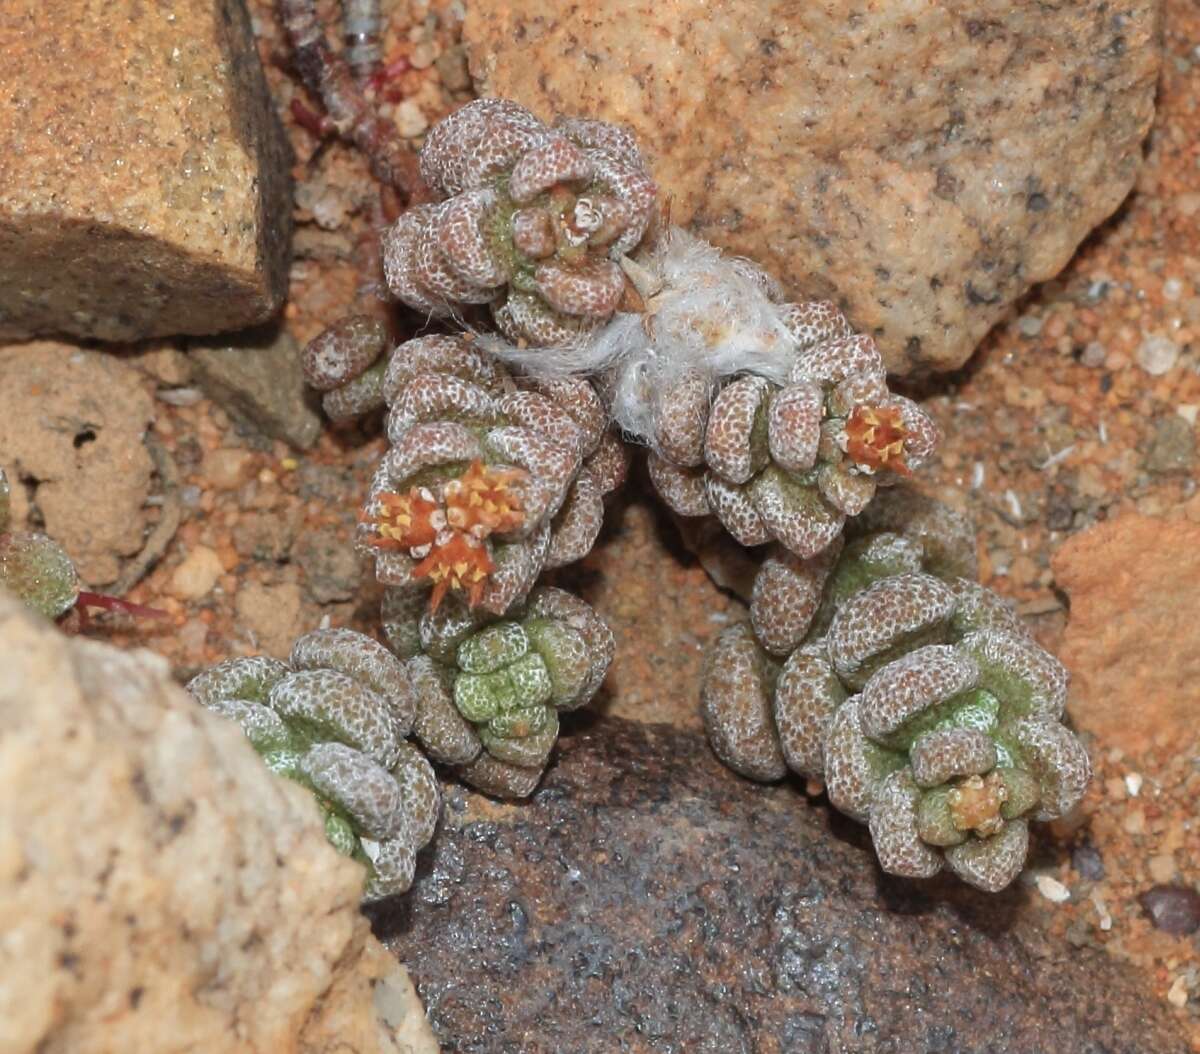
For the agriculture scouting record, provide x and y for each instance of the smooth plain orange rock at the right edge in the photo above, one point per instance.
(1133, 642)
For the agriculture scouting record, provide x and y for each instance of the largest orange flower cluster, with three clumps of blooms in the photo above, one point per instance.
(446, 532)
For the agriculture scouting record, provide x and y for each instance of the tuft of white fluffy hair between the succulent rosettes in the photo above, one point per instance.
(704, 312)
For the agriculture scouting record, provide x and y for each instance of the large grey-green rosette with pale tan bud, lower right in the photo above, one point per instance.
(916, 694)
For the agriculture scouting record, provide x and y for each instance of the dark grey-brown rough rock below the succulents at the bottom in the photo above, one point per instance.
(649, 901)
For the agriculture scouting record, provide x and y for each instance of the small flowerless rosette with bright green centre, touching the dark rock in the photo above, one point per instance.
(489, 692)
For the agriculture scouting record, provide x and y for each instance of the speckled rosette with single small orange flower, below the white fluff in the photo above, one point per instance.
(789, 462)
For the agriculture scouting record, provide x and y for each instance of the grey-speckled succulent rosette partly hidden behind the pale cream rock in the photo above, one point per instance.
(334, 718)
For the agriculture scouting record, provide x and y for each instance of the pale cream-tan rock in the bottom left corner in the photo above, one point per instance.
(160, 890)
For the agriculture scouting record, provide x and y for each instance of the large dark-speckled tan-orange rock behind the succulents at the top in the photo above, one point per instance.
(922, 164)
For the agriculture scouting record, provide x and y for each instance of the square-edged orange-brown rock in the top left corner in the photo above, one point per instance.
(143, 173)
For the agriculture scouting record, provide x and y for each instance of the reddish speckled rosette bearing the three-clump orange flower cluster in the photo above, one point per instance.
(490, 480)
